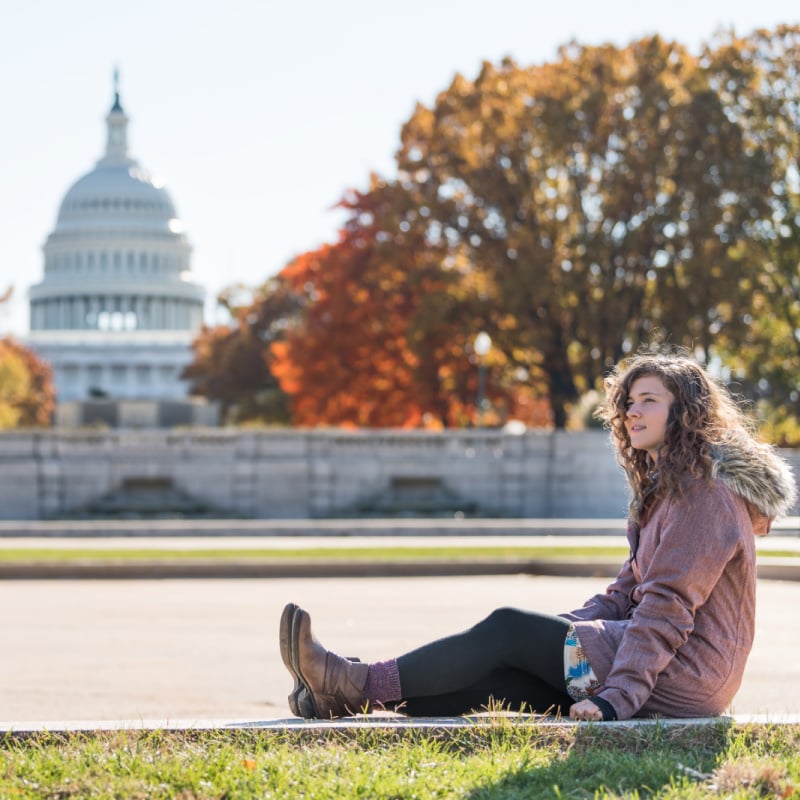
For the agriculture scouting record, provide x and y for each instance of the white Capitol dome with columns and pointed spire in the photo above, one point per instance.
(118, 258)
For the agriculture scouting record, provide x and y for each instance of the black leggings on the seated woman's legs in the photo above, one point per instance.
(512, 657)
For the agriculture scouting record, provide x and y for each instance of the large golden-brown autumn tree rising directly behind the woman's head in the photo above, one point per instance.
(597, 198)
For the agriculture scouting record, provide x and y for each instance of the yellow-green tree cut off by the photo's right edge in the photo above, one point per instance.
(757, 78)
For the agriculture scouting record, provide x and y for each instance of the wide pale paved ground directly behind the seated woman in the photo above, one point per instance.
(185, 652)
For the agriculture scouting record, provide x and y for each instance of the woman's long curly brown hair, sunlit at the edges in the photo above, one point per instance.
(702, 416)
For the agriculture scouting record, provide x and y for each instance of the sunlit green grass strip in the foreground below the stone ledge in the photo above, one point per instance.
(506, 760)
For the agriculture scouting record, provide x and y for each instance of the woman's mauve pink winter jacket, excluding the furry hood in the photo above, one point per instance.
(672, 633)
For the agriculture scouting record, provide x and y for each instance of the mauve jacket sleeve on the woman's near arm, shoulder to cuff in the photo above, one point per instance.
(699, 535)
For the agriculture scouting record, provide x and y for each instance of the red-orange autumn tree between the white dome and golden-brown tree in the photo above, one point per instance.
(385, 335)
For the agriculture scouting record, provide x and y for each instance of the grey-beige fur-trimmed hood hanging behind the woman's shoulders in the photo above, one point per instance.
(755, 472)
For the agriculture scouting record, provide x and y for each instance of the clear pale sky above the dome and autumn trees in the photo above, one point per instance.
(259, 114)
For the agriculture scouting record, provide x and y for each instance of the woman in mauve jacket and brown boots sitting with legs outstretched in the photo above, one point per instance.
(671, 634)
